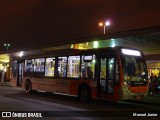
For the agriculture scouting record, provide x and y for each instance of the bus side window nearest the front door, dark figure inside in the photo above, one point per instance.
(88, 67)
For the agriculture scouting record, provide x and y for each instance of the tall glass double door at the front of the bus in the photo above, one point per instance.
(106, 76)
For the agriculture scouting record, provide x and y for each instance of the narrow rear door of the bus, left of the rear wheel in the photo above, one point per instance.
(20, 73)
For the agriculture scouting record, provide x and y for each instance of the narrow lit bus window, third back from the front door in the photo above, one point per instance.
(62, 65)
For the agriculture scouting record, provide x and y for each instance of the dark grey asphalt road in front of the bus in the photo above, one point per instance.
(53, 106)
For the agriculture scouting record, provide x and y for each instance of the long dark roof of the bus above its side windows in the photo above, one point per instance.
(65, 52)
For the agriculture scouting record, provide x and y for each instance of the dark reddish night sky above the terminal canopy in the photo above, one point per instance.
(29, 23)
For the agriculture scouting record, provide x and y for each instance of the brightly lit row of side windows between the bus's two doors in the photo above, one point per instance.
(37, 65)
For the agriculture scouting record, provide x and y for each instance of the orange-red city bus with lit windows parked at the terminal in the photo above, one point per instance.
(111, 73)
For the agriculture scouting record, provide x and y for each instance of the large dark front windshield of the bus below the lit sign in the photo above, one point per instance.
(135, 71)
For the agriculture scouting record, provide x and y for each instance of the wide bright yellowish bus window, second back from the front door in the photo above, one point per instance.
(73, 66)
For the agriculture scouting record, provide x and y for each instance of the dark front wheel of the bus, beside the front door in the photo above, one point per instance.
(84, 93)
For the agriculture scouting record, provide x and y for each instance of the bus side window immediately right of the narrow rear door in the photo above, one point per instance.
(29, 64)
